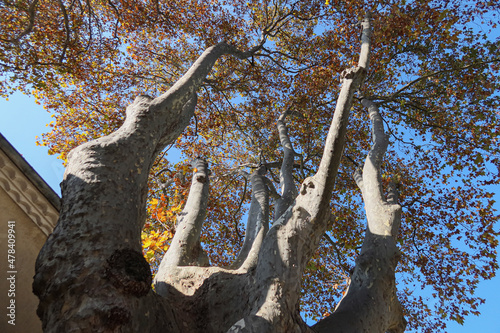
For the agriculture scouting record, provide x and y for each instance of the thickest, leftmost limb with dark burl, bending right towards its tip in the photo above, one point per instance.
(91, 275)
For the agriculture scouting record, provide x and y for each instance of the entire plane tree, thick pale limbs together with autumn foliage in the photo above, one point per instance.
(434, 78)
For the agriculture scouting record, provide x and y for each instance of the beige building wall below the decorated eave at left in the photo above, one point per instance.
(29, 240)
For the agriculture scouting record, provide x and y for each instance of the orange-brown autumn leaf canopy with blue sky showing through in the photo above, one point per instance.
(433, 74)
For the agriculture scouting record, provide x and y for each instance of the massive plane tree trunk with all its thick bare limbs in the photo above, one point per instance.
(91, 275)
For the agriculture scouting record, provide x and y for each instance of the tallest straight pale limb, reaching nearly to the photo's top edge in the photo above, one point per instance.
(291, 242)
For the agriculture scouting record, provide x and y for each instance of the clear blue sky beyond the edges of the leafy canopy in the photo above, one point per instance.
(22, 120)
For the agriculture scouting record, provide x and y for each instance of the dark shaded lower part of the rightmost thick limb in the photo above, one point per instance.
(371, 303)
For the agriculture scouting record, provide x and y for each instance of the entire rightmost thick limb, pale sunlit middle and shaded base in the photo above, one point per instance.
(372, 292)
